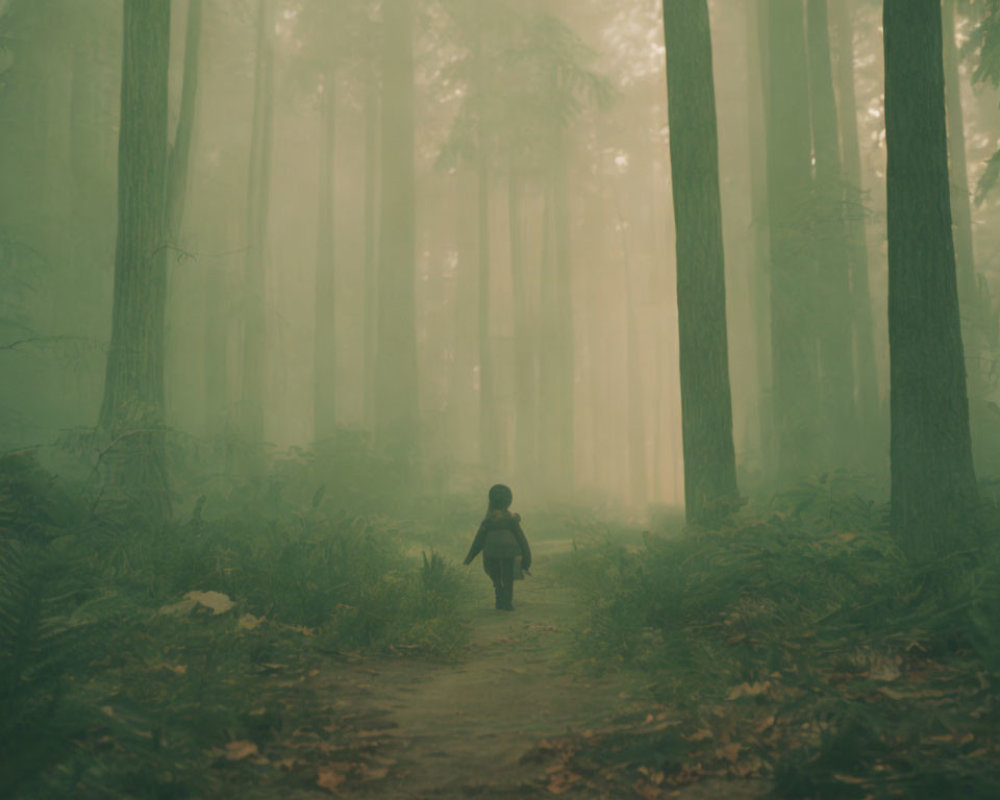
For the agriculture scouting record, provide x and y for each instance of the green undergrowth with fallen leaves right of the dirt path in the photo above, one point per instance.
(799, 645)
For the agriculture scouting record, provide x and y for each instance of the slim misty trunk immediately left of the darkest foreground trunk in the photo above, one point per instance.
(864, 340)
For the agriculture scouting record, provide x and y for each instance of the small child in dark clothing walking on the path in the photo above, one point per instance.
(501, 540)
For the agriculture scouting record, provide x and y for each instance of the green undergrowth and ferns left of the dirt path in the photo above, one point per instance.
(130, 658)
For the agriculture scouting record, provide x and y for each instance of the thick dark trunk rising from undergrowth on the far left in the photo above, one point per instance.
(132, 411)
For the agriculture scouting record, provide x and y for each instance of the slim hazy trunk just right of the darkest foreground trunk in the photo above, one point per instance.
(961, 210)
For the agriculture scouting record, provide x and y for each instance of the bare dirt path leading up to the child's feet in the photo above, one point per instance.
(463, 730)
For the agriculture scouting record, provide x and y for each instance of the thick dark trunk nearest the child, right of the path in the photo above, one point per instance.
(706, 403)
